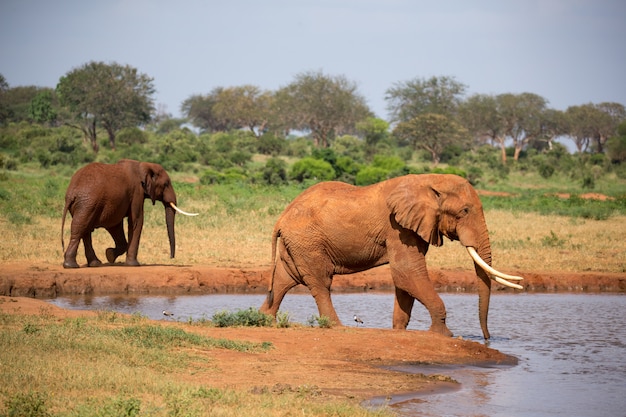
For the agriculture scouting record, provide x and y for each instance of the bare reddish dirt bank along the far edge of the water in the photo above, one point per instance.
(41, 280)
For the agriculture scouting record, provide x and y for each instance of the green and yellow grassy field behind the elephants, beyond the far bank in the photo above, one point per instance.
(530, 229)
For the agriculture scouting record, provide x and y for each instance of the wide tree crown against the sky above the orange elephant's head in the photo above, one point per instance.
(438, 95)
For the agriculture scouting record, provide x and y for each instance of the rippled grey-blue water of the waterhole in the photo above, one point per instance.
(571, 348)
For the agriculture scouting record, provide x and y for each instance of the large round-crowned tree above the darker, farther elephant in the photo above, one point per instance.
(111, 96)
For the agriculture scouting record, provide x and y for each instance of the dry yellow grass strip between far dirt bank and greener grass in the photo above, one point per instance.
(521, 241)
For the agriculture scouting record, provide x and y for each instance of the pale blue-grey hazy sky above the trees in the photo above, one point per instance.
(570, 52)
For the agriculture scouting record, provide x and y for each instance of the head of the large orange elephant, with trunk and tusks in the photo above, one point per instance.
(435, 206)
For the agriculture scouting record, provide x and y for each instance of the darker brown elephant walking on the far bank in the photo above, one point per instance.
(102, 195)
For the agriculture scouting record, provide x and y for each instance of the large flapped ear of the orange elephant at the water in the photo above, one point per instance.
(417, 208)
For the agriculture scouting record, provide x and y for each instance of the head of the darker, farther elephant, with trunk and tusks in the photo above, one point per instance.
(157, 185)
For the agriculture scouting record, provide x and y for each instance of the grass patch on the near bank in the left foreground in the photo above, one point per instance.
(115, 366)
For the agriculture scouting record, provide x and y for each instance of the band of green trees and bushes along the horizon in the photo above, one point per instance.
(106, 112)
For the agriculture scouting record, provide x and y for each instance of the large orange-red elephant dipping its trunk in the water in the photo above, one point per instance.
(336, 228)
